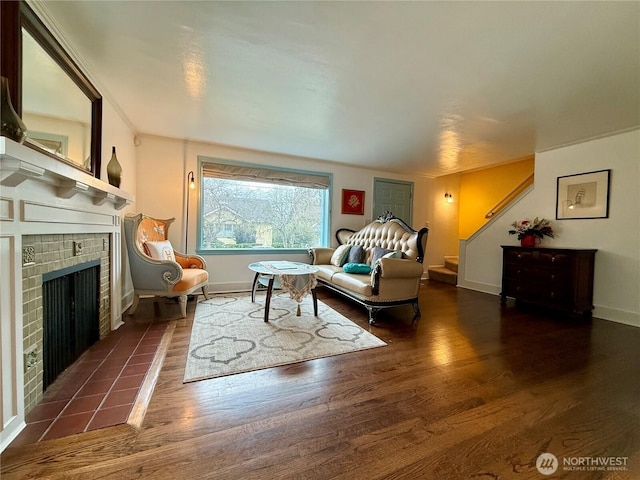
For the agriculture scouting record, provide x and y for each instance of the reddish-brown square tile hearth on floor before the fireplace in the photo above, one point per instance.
(100, 388)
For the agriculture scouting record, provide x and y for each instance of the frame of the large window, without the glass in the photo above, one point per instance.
(326, 223)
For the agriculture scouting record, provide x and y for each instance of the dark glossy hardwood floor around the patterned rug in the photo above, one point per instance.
(472, 391)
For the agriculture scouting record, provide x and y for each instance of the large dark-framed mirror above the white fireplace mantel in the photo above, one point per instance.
(59, 105)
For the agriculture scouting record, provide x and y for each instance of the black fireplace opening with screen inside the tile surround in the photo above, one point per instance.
(71, 316)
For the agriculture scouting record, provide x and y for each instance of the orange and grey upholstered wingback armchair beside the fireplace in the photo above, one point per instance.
(157, 269)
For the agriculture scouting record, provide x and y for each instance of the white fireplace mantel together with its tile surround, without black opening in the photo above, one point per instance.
(52, 216)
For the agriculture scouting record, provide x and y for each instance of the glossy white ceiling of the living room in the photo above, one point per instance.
(427, 88)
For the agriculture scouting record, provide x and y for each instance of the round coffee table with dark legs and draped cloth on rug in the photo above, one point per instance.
(271, 275)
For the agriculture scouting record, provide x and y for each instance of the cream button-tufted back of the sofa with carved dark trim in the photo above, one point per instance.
(392, 234)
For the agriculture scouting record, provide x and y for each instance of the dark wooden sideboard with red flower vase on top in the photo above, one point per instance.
(553, 278)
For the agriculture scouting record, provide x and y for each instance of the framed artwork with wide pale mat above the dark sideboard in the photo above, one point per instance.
(584, 195)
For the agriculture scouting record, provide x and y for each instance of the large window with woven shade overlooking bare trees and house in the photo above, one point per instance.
(247, 207)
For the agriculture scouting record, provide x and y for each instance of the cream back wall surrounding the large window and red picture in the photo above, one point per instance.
(162, 167)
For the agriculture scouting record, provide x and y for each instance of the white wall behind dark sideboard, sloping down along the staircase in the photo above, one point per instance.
(617, 238)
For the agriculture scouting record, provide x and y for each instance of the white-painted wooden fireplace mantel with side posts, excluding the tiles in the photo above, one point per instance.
(40, 195)
